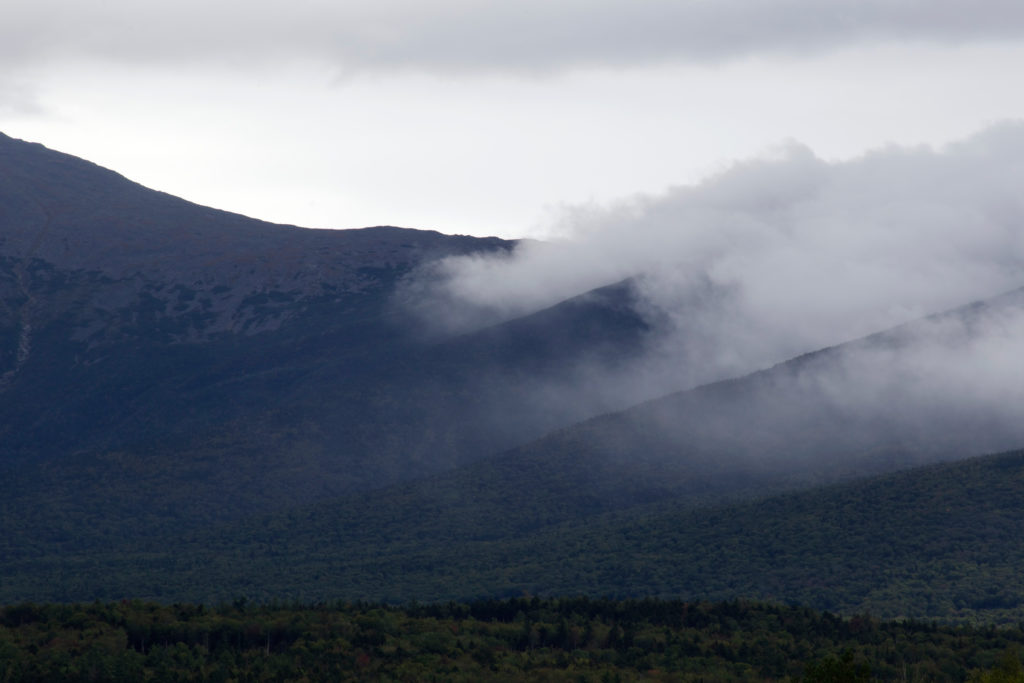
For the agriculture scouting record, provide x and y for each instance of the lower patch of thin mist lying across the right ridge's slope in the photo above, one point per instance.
(943, 389)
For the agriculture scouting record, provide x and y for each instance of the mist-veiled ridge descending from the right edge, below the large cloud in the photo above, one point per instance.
(817, 419)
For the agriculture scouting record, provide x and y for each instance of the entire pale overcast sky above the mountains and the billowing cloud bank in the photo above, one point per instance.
(490, 118)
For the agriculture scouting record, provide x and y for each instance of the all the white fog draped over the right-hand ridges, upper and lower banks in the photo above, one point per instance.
(774, 259)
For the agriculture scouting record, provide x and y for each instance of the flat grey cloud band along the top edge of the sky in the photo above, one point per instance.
(532, 36)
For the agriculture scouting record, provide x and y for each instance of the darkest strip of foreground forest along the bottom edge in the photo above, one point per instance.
(576, 639)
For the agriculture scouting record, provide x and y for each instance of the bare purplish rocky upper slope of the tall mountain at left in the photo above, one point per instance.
(122, 257)
